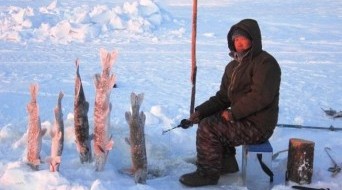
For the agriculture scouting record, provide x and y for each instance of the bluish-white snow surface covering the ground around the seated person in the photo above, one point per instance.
(40, 40)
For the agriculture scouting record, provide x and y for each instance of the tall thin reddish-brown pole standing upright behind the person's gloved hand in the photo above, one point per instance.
(193, 55)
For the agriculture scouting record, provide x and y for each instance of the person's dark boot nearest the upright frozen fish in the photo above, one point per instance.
(199, 178)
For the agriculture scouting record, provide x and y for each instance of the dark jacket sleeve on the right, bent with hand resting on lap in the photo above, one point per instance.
(264, 88)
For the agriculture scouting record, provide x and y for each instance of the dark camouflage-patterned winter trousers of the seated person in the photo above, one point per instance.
(216, 136)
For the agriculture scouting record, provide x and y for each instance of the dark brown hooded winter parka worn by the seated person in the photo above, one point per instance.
(249, 88)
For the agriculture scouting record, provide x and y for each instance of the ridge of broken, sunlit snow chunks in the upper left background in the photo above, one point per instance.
(80, 24)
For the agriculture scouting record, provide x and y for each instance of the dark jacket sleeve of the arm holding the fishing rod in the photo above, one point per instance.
(219, 101)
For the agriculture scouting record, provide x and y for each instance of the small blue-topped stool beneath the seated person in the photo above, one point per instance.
(256, 165)
